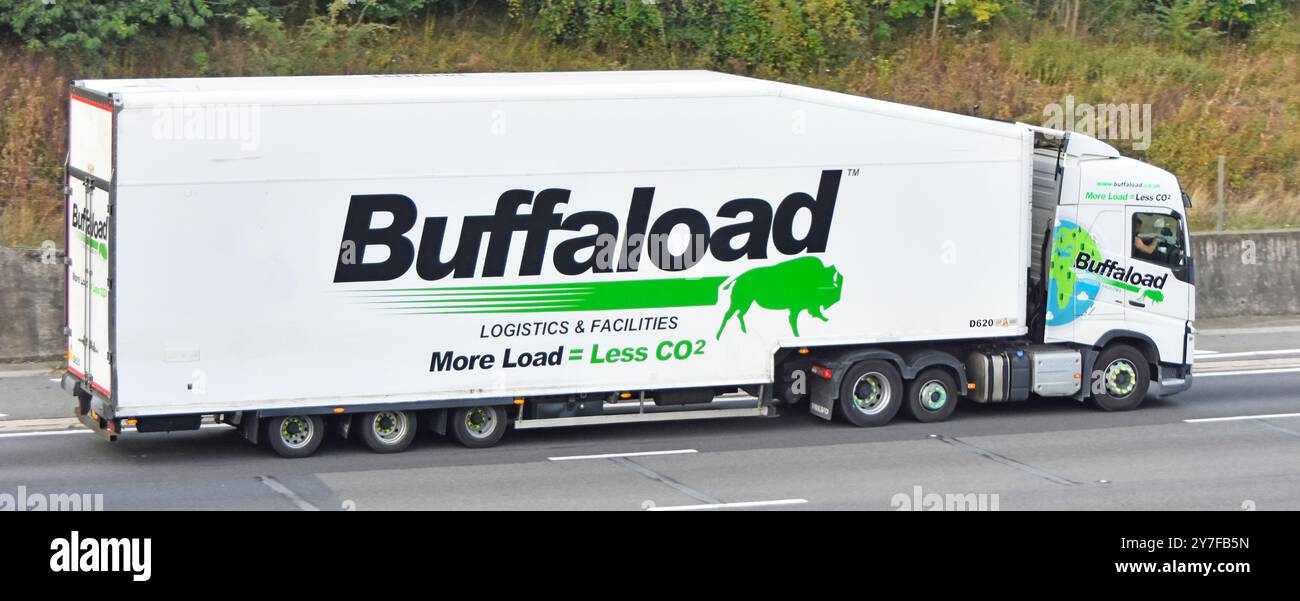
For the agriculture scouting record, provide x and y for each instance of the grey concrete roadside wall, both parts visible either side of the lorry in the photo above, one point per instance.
(1238, 274)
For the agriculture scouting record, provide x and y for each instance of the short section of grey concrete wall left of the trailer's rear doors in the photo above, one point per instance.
(32, 305)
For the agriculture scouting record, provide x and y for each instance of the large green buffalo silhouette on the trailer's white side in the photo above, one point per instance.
(796, 286)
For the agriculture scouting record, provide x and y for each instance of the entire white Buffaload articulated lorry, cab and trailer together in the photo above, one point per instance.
(376, 254)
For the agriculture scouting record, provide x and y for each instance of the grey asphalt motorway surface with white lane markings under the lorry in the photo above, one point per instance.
(1229, 444)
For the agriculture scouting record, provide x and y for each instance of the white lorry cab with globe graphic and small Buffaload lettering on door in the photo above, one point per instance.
(1117, 267)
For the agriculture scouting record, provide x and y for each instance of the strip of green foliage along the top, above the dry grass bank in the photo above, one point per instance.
(790, 33)
